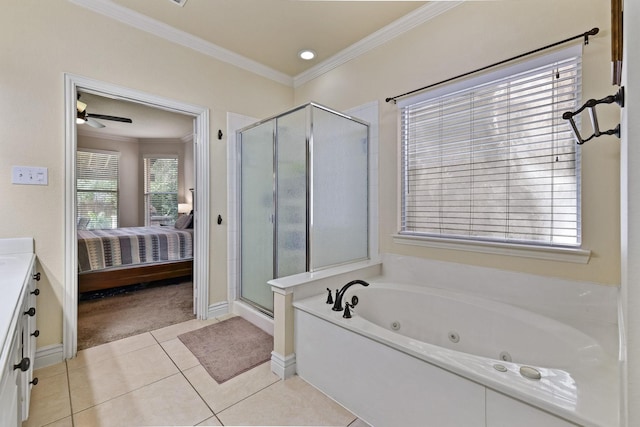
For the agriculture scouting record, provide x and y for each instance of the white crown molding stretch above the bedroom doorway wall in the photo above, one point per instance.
(160, 29)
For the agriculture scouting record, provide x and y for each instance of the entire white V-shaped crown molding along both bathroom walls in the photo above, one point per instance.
(160, 29)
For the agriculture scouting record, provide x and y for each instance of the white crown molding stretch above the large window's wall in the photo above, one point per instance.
(385, 34)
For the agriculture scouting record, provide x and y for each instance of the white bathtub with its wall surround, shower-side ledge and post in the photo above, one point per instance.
(566, 330)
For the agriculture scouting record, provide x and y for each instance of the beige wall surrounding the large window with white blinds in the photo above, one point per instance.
(471, 36)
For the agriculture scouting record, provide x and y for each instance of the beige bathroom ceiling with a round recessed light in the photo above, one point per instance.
(272, 32)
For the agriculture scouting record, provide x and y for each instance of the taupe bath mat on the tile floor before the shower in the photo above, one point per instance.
(229, 348)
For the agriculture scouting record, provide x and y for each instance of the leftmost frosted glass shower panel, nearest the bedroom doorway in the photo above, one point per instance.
(257, 213)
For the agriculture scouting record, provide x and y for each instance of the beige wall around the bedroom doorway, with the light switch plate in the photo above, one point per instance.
(39, 42)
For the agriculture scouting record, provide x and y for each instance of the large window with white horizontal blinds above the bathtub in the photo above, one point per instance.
(491, 159)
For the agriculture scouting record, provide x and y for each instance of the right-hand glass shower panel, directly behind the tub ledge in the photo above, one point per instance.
(340, 195)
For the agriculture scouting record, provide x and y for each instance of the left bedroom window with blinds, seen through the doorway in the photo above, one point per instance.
(97, 189)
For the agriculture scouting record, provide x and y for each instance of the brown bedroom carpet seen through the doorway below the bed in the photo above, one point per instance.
(128, 312)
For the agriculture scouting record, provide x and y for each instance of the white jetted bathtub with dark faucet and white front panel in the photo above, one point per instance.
(413, 355)
